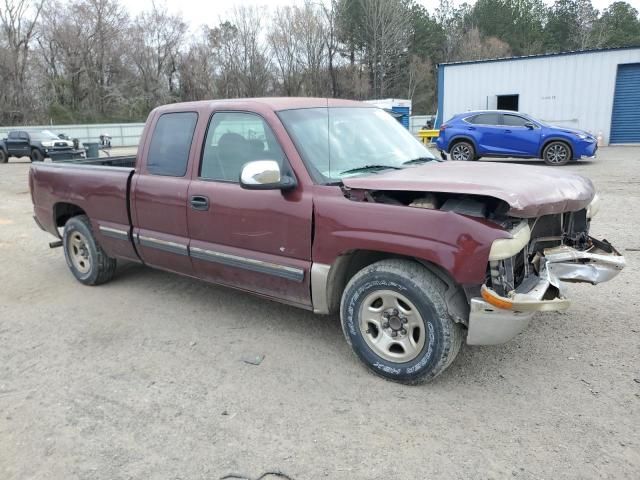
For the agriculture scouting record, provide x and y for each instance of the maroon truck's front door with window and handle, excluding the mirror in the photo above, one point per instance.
(256, 240)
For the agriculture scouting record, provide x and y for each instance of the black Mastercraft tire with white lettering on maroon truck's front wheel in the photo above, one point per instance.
(425, 291)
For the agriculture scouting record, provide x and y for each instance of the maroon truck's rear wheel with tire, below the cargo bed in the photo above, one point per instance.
(88, 262)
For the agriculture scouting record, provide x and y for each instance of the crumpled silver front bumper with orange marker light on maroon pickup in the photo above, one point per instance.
(495, 319)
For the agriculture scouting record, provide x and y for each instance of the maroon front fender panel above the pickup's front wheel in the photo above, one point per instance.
(457, 244)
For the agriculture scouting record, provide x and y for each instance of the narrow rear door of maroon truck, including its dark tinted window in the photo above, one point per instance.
(160, 194)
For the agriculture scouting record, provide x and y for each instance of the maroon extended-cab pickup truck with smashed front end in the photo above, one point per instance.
(332, 206)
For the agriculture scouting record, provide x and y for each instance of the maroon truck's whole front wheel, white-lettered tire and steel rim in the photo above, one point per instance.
(394, 316)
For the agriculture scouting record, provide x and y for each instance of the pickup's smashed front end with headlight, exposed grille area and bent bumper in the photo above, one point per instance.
(528, 272)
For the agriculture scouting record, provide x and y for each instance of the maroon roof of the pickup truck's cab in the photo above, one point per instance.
(273, 103)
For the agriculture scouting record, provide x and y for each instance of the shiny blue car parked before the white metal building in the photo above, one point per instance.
(496, 133)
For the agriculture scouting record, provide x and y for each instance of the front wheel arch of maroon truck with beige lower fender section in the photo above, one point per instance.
(329, 281)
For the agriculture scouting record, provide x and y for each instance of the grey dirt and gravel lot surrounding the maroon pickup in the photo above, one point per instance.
(143, 378)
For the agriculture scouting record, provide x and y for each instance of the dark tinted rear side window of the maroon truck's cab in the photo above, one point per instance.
(171, 140)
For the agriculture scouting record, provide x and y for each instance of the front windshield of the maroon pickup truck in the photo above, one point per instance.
(338, 142)
